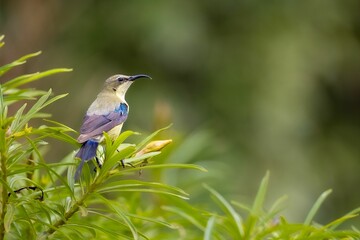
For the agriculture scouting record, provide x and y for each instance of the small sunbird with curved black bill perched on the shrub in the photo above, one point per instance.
(107, 114)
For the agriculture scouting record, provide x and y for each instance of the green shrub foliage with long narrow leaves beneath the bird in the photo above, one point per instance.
(40, 199)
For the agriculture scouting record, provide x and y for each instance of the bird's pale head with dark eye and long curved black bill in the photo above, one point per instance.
(119, 83)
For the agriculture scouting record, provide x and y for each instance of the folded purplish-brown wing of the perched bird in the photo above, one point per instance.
(95, 125)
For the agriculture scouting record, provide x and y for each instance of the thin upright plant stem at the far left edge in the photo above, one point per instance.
(4, 195)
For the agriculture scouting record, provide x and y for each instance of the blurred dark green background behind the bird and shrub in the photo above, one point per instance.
(249, 85)
